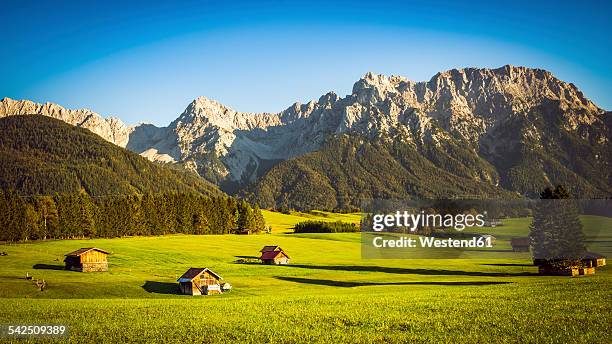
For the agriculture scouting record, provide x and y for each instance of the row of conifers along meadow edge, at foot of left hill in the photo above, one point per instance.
(65, 216)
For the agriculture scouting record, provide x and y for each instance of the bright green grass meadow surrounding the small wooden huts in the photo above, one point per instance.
(327, 294)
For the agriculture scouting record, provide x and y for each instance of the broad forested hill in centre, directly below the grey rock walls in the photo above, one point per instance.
(350, 169)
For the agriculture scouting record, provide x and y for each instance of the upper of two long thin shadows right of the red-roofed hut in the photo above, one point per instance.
(410, 271)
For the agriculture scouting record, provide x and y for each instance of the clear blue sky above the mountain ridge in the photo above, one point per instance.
(145, 61)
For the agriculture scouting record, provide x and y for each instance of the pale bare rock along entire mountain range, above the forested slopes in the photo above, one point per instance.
(496, 113)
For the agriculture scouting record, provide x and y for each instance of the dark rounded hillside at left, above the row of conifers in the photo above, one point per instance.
(42, 155)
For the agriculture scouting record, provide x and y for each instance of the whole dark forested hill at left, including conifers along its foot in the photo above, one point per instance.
(58, 181)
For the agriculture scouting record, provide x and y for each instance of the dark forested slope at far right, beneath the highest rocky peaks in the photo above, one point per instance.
(535, 151)
